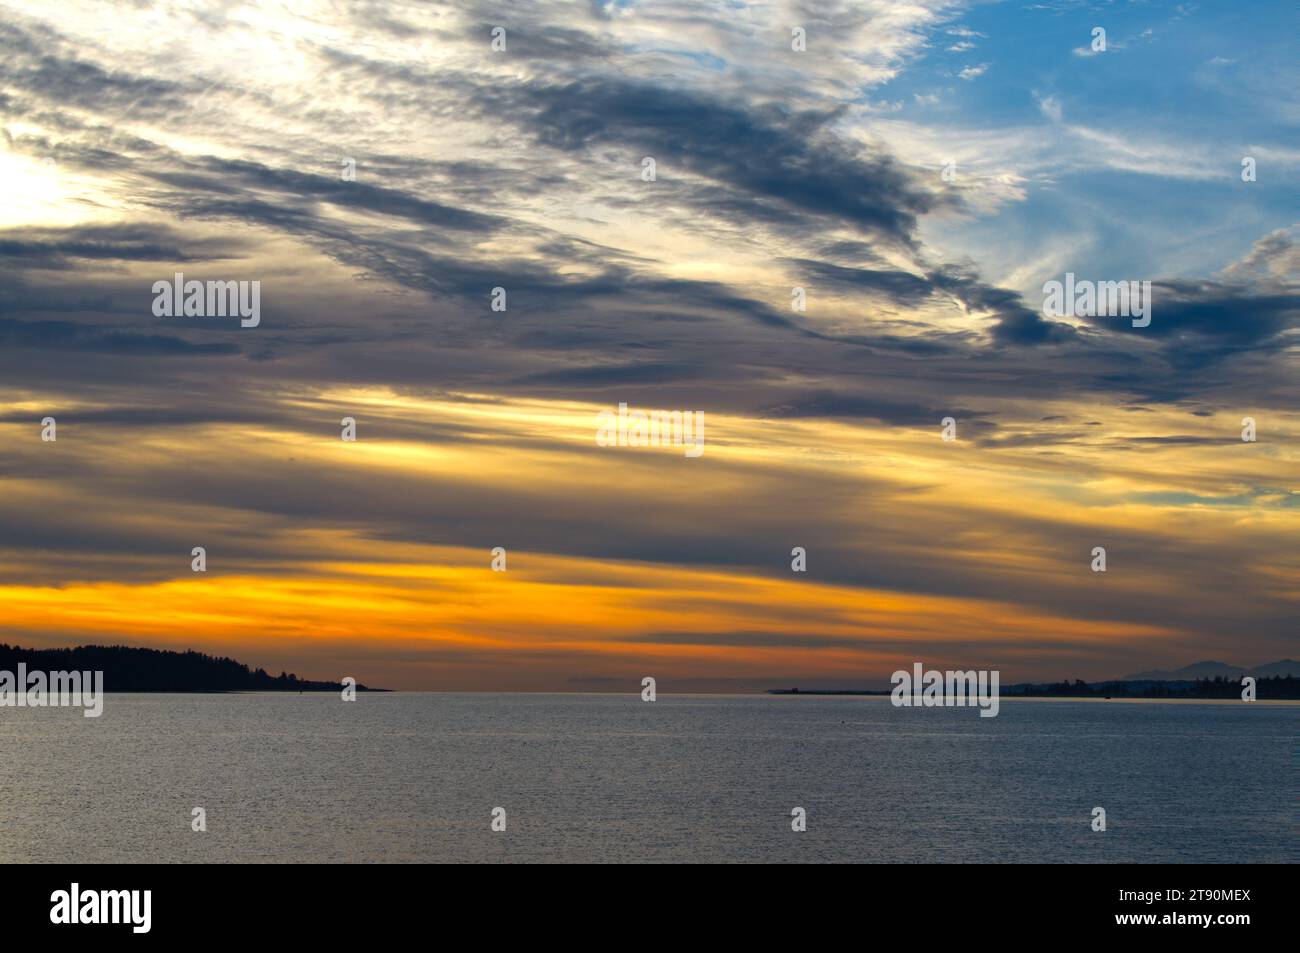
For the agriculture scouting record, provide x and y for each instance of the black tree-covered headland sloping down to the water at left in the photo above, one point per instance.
(154, 670)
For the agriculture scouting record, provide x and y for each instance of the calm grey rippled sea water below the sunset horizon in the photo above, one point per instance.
(597, 778)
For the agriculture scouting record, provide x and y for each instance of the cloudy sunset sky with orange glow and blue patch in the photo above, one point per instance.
(920, 170)
